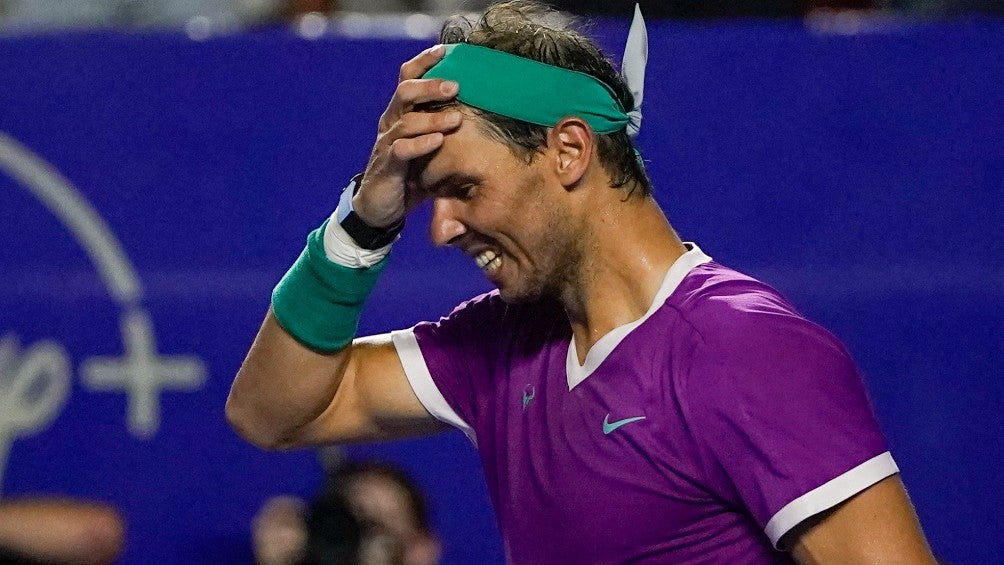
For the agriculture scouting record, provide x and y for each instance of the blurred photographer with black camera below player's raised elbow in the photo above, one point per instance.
(370, 514)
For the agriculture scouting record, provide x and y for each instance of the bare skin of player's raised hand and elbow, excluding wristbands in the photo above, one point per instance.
(287, 395)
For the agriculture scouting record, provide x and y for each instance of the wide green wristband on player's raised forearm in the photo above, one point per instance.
(318, 302)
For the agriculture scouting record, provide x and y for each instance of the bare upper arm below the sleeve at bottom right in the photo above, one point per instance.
(877, 526)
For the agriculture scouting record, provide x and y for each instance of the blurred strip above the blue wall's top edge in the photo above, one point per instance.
(198, 17)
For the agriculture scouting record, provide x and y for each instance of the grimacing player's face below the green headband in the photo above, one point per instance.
(510, 217)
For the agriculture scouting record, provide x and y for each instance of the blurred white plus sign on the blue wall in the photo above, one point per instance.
(142, 374)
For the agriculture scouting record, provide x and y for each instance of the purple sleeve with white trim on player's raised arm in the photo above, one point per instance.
(449, 363)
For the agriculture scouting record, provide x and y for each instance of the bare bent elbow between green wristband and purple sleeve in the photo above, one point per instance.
(287, 396)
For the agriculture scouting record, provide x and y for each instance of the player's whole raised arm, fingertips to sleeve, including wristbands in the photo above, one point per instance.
(304, 381)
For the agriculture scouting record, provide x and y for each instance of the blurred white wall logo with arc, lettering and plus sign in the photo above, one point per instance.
(36, 379)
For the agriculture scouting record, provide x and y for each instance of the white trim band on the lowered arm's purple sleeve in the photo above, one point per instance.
(830, 495)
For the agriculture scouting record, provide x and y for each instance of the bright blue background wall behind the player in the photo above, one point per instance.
(858, 169)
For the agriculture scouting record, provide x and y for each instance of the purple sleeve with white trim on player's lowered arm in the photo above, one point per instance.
(784, 419)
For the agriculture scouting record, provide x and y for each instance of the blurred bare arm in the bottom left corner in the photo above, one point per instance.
(62, 531)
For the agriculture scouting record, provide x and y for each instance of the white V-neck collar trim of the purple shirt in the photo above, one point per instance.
(597, 355)
